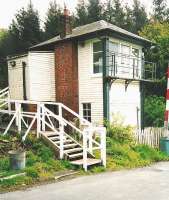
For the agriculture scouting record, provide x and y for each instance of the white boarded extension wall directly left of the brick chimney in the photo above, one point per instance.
(41, 76)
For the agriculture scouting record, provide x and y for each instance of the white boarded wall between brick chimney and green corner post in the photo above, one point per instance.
(90, 85)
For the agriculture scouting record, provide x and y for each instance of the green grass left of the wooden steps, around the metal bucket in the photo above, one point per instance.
(41, 165)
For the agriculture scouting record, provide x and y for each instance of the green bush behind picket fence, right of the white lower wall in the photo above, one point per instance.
(154, 108)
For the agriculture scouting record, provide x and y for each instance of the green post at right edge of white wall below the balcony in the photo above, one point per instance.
(142, 97)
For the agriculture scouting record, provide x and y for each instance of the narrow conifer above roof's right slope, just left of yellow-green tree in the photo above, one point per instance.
(139, 16)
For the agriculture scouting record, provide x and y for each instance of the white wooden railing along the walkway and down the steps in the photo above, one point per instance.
(44, 118)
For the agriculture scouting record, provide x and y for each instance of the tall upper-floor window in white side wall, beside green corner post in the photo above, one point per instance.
(97, 57)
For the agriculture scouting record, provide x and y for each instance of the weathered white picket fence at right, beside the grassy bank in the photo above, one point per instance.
(150, 136)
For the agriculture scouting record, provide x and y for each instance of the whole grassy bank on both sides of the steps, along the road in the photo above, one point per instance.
(42, 165)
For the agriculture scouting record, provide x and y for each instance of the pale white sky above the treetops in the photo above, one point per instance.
(9, 8)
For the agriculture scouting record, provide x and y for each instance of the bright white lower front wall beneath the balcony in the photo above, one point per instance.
(125, 104)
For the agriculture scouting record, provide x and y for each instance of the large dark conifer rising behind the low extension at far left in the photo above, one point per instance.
(25, 29)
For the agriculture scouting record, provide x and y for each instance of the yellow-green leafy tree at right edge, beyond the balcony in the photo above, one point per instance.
(158, 33)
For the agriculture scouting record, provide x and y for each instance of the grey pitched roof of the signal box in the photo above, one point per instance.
(91, 28)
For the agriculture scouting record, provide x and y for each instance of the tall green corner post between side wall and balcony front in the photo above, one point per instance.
(106, 86)
